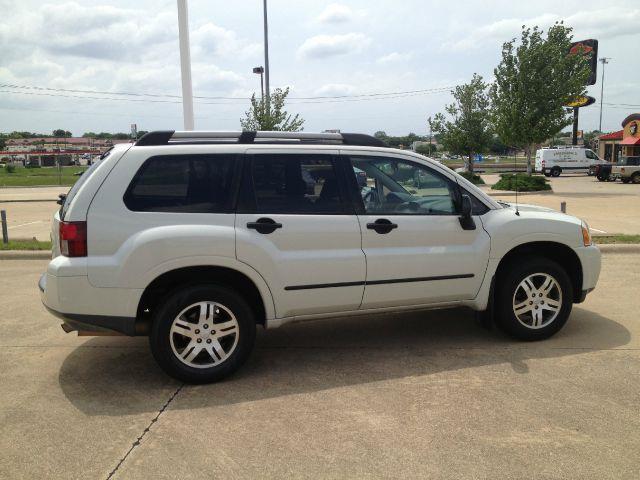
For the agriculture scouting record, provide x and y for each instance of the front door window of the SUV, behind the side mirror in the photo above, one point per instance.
(393, 186)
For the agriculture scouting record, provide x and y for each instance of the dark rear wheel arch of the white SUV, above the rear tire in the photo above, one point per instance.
(163, 284)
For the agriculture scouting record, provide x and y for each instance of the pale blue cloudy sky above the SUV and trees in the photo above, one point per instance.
(103, 65)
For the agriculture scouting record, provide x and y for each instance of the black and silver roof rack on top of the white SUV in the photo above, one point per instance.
(171, 137)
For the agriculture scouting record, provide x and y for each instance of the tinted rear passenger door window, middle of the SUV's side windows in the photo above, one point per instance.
(304, 184)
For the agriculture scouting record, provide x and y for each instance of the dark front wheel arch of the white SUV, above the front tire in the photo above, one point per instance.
(554, 251)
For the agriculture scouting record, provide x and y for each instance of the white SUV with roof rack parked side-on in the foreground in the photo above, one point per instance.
(194, 238)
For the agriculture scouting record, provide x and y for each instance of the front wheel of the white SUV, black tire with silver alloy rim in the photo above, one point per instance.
(543, 322)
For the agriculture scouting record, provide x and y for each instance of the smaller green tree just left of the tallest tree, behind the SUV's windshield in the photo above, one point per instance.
(467, 130)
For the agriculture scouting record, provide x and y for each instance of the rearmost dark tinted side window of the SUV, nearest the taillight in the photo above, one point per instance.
(182, 184)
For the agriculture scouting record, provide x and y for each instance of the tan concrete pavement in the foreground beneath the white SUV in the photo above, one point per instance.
(410, 396)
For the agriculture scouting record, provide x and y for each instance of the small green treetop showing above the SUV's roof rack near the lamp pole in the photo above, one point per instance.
(271, 115)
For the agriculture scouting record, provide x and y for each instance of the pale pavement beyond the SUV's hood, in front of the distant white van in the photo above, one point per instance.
(608, 207)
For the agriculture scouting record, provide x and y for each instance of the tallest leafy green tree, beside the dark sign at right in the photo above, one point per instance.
(533, 82)
